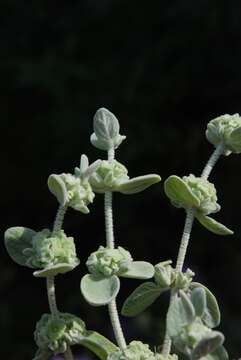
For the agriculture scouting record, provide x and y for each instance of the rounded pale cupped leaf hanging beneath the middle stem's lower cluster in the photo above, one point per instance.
(99, 291)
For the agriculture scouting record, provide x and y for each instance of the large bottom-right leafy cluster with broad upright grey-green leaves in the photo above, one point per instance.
(186, 327)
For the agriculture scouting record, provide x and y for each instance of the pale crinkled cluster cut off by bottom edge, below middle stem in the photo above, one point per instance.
(136, 350)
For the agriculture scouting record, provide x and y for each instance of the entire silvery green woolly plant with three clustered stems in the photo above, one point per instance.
(193, 311)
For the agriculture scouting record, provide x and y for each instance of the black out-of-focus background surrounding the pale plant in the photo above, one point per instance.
(165, 68)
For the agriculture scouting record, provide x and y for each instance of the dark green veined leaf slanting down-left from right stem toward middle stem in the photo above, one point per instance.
(141, 298)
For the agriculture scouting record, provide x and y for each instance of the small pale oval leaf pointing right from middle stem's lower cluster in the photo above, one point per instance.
(139, 270)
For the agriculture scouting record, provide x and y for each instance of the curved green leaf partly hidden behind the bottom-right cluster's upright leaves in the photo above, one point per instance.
(211, 316)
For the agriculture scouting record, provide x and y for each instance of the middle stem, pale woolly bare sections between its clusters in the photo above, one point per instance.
(110, 242)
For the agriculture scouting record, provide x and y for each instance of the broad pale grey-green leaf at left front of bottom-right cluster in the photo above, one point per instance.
(181, 312)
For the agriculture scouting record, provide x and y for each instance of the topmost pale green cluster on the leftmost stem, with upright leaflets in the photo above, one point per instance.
(75, 190)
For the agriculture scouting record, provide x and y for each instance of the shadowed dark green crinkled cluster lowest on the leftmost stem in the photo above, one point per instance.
(56, 334)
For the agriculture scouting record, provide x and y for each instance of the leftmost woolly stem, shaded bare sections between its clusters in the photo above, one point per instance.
(50, 279)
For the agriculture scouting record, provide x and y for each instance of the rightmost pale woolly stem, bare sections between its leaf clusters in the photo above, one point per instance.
(186, 237)
